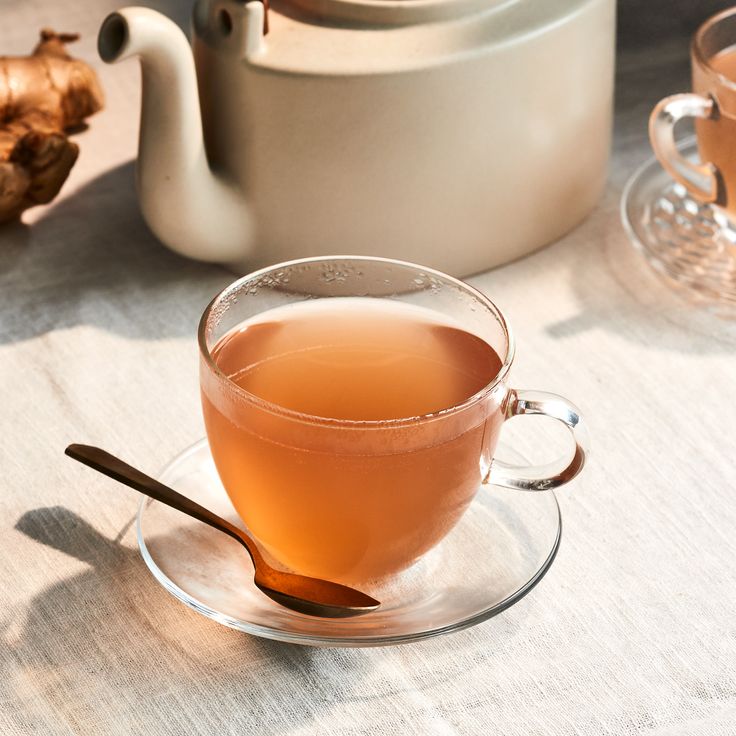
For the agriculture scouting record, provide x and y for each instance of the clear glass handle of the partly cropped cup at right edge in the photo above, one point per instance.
(701, 180)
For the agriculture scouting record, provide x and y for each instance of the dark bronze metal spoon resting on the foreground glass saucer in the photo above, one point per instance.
(312, 596)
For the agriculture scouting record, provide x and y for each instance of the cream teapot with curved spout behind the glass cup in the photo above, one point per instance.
(457, 133)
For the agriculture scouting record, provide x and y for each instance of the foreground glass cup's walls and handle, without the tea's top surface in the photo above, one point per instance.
(381, 493)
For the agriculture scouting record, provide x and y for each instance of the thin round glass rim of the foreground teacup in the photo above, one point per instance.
(357, 423)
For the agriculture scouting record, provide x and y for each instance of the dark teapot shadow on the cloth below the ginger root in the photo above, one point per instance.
(91, 260)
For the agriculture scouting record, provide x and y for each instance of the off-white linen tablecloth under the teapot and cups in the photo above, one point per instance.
(633, 631)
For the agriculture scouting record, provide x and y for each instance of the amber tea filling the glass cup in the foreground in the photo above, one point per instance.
(314, 440)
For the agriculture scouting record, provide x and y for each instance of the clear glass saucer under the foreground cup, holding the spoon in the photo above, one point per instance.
(500, 549)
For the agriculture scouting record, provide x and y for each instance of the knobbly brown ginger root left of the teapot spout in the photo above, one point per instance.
(42, 97)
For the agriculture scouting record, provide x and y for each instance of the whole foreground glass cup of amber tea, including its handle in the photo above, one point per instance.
(353, 406)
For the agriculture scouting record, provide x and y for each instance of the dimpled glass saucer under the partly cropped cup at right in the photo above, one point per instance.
(681, 238)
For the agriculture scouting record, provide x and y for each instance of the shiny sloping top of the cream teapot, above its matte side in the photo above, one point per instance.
(356, 37)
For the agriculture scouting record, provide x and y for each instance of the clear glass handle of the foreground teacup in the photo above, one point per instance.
(554, 474)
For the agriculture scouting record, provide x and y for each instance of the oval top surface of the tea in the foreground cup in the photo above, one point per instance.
(362, 360)
